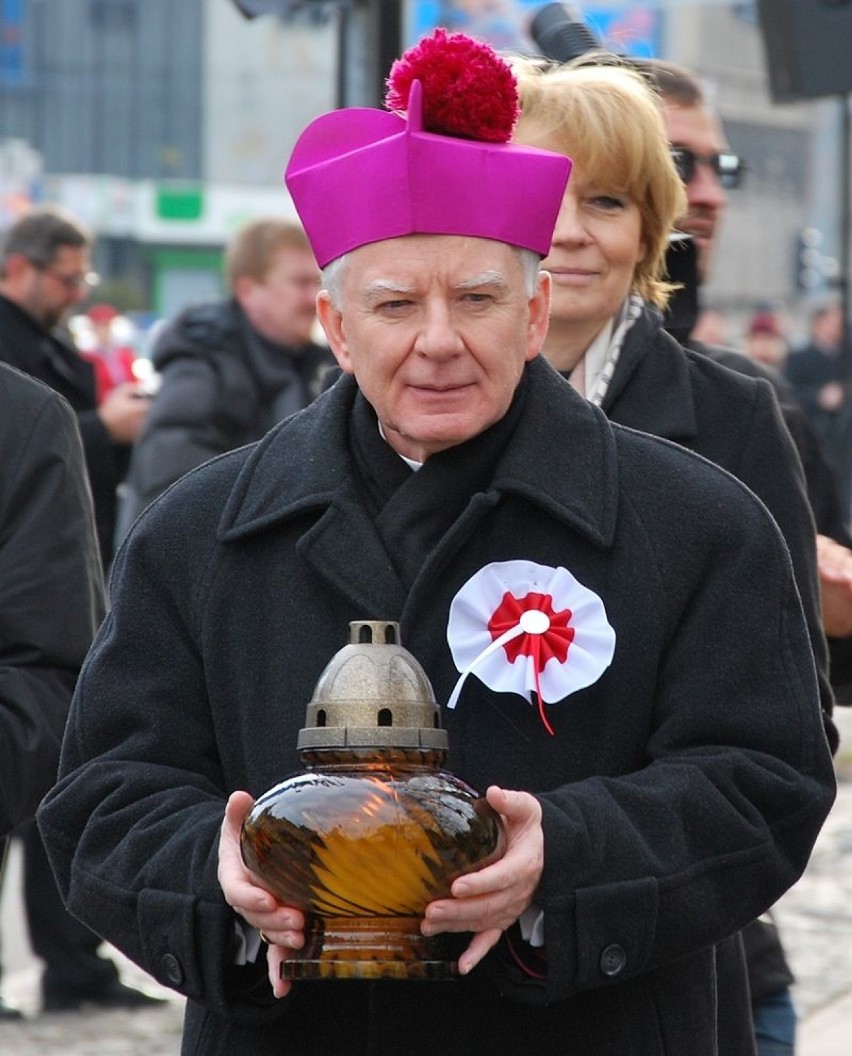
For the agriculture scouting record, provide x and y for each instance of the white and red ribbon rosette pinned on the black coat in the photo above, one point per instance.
(523, 628)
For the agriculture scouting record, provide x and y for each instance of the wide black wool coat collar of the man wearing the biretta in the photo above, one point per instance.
(562, 460)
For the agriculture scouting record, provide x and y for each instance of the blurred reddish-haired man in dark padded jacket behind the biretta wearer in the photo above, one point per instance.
(231, 370)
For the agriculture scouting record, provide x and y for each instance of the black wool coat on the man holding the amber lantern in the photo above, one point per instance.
(681, 793)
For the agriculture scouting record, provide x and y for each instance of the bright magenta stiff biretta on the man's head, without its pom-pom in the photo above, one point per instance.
(361, 176)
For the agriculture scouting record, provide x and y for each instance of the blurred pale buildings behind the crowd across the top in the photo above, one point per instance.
(167, 124)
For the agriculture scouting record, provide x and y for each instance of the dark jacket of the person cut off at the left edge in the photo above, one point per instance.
(51, 592)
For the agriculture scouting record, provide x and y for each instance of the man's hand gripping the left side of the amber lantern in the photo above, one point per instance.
(281, 927)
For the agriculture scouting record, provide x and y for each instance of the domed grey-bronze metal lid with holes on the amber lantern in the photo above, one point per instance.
(373, 694)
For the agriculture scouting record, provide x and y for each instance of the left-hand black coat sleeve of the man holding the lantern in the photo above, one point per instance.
(132, 826)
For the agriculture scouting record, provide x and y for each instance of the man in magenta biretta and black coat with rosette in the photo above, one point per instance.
(671, 778)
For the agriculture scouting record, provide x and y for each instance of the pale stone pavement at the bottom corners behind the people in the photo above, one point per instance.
(816, 918)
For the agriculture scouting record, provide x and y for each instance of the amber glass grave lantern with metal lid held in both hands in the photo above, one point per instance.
(373, 829)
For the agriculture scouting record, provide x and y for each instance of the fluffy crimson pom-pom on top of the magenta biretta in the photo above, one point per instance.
(468, 89)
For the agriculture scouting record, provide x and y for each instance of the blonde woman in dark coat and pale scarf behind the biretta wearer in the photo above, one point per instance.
(608, 331)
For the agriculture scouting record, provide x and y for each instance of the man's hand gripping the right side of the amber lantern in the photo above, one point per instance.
(491, 900)
